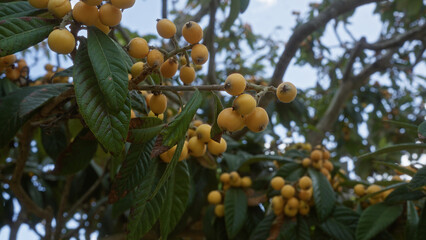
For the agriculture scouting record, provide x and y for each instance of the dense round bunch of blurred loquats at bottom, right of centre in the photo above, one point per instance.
(295, 198)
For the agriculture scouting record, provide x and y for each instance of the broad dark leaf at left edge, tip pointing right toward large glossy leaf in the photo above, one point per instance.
(10, 107)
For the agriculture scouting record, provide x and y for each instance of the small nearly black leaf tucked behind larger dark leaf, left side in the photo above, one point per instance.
(54, 140)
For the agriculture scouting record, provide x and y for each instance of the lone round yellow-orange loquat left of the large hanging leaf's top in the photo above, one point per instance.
(61, 41)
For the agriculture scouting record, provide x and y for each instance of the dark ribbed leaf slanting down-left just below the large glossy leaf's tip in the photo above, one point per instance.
(132, 171)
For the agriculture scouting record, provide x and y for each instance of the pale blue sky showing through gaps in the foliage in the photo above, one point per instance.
(264, 16)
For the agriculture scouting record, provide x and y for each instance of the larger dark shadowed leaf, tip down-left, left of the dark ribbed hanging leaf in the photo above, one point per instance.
(78, 154)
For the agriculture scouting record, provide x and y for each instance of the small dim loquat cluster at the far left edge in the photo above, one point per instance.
(13, 67)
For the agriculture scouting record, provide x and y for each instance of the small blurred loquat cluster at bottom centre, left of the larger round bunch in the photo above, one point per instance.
(232, 179)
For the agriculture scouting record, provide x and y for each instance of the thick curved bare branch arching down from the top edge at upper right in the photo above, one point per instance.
(300, 33)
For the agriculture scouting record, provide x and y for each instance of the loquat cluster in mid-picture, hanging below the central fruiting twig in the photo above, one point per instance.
(197, 143)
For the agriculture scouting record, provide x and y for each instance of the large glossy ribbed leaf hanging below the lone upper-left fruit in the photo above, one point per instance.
(110, 127)
